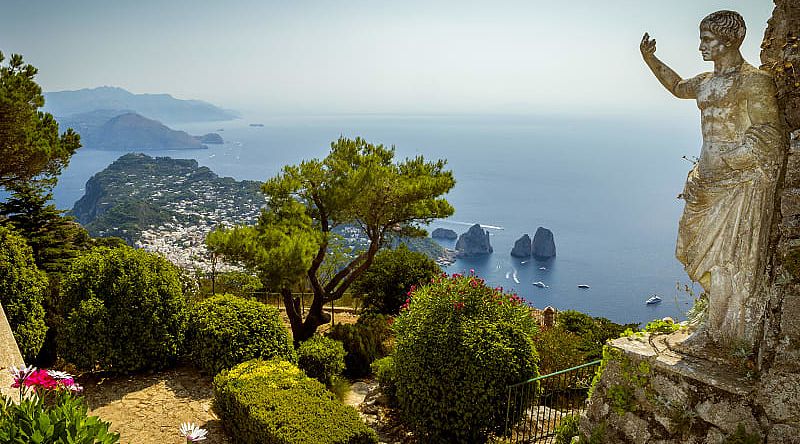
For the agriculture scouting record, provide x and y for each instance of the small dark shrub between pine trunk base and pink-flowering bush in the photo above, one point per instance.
(363, 341)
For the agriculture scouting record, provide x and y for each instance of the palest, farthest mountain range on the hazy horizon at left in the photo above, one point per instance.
(162, 107)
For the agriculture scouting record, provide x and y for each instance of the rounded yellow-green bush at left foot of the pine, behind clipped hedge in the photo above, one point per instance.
(226, 330)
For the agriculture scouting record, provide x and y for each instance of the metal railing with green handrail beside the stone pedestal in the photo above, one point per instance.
(537, 407)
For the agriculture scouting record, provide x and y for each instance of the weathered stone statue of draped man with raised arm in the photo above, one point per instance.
(723, 233)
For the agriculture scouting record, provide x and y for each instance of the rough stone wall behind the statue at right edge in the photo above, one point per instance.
(780, 349)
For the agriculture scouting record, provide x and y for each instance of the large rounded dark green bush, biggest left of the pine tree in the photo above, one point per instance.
(125, 311)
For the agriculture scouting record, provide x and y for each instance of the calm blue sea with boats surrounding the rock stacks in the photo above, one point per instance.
(605, 187)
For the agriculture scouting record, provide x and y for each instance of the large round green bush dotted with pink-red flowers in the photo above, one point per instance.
(458, 345)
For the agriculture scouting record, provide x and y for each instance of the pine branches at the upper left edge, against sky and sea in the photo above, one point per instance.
(30, 145)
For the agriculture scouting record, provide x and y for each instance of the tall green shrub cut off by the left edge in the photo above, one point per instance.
(22, 290)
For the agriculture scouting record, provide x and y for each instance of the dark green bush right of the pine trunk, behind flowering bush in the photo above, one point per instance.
(387, 282)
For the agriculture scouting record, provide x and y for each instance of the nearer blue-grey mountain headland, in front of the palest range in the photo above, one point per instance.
(131, 132)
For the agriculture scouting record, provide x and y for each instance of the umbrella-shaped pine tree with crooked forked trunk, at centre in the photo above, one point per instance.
(359, 185)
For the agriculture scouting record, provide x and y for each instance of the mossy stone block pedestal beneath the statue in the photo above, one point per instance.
(650, 393)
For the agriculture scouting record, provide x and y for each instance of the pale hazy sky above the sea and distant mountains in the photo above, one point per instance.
(409, 56)
